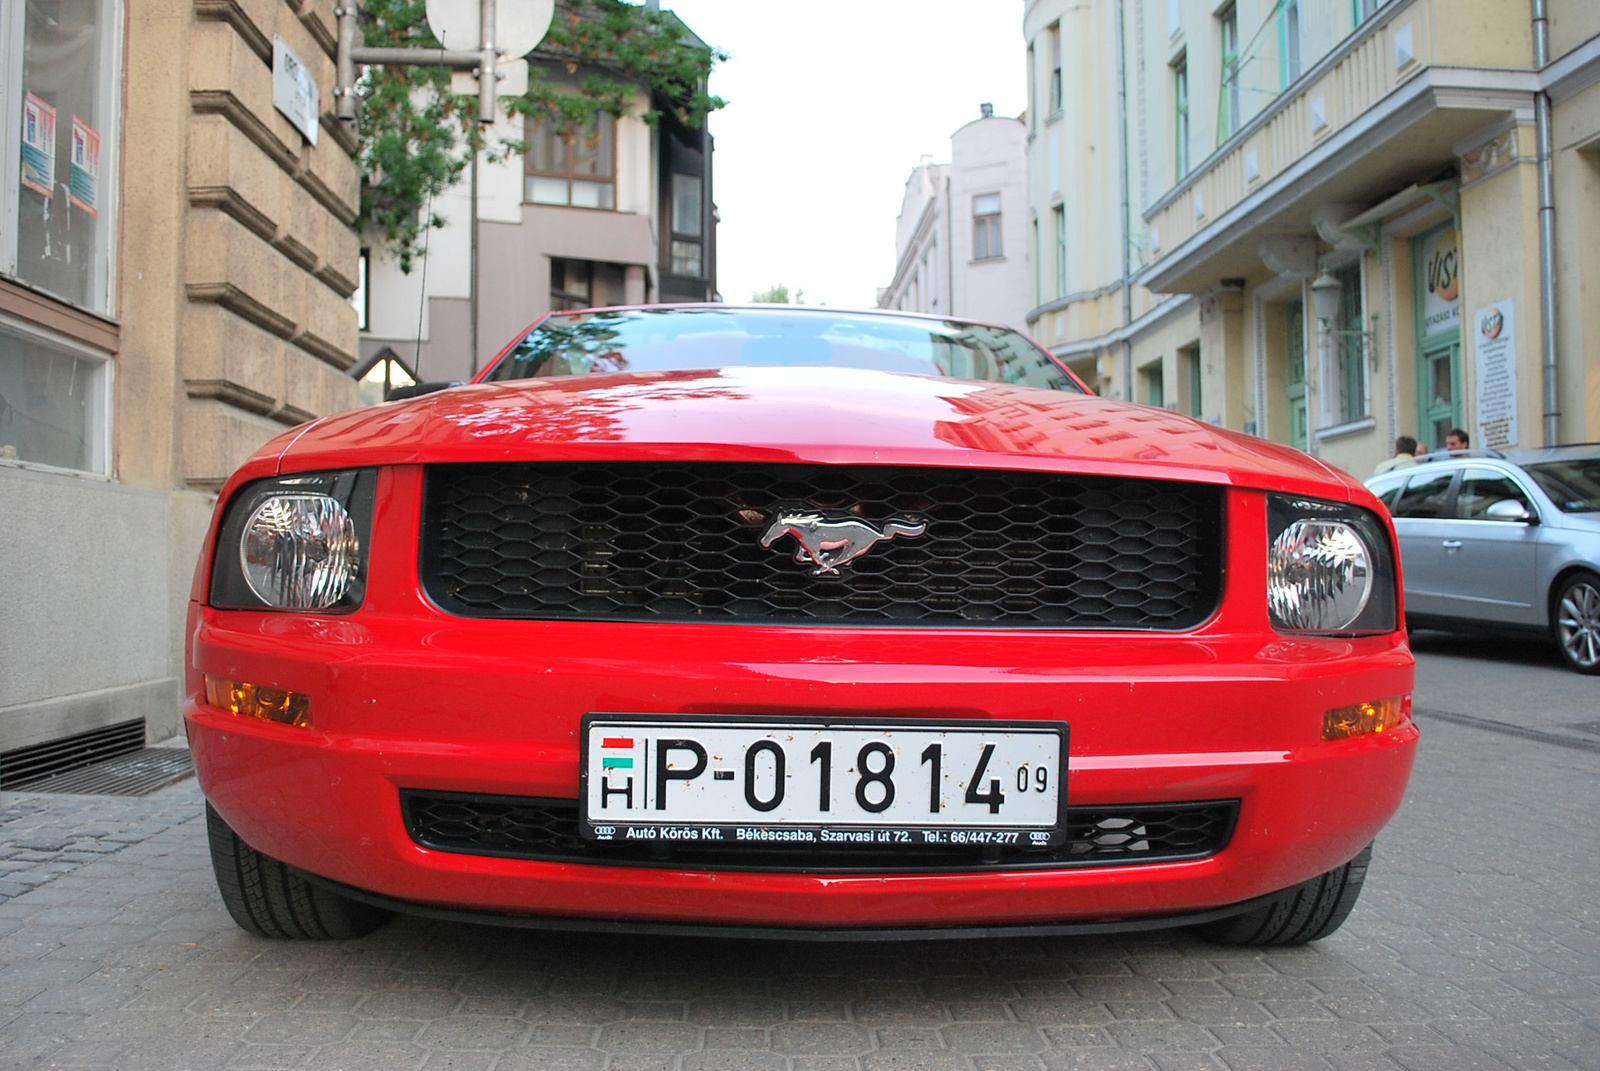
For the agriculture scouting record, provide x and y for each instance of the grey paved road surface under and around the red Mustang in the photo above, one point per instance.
(1478, 945)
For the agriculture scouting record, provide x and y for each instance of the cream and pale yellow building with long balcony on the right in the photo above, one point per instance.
(1321, 220)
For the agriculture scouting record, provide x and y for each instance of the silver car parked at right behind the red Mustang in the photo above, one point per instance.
(1503, 544)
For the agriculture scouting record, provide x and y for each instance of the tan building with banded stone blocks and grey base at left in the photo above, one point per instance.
(177, 263)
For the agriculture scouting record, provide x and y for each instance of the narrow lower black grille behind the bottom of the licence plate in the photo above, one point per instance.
(546, 830)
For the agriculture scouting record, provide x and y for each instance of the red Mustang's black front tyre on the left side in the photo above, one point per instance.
(271, 901)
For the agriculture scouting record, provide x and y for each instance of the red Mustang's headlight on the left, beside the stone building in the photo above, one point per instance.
(295, 544)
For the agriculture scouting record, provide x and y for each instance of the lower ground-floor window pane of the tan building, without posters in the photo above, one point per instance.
(54, 401)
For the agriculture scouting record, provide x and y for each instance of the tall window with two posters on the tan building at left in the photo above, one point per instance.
(60, 78)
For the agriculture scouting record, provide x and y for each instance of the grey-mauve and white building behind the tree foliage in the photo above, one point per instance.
(615, 214)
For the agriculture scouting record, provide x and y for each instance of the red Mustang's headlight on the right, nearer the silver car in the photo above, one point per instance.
(1330, 568)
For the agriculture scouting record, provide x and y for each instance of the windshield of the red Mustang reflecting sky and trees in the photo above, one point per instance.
(674, 340)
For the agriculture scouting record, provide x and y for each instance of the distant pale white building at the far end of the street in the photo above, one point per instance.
(961, 241)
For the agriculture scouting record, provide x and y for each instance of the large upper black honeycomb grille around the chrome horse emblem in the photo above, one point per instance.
(682, 544)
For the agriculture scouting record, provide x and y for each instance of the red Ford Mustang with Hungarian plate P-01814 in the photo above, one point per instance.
(791, 622)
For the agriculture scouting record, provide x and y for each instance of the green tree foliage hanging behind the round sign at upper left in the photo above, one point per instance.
(417, 135)
